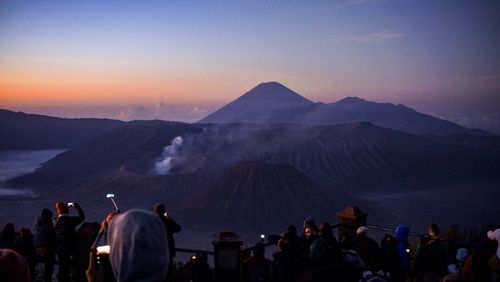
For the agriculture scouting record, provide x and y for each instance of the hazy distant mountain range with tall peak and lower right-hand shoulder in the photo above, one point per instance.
(347, 110)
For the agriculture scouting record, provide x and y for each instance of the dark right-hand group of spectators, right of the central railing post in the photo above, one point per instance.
(319, 256)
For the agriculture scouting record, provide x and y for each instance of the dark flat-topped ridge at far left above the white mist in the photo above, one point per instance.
(20, 131)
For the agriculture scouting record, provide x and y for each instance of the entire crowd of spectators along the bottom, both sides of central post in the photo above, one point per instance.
(138, 245)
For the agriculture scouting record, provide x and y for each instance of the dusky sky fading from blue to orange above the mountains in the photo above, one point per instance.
(181, 60)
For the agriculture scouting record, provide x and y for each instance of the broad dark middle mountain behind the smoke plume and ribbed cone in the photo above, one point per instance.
(356, 156)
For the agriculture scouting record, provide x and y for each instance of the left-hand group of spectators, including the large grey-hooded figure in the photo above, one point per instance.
(142, 243)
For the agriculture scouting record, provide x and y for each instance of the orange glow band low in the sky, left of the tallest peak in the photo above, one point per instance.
(56, 86)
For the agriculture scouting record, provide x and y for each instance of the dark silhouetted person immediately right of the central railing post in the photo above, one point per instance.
(257, 268)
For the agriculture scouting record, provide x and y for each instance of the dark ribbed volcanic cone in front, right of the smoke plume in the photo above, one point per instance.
(259, 196)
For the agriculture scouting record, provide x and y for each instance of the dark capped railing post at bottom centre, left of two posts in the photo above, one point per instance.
(227, 249)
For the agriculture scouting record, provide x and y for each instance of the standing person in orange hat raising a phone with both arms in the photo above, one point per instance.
(64, 228)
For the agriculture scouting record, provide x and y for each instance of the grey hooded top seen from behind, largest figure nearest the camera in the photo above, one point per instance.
(138, 247)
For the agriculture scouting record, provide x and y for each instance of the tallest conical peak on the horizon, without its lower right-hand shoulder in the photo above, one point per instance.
(256, 104)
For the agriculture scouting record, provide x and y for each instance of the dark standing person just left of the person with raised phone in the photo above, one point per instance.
(44, 241)
